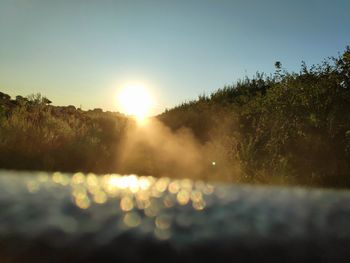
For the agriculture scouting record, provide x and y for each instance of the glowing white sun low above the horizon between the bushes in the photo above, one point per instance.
(135, 100)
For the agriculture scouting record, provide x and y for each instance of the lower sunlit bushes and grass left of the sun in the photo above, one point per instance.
(37, 136)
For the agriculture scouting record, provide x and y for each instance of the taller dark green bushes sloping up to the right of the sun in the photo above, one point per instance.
(285, 128)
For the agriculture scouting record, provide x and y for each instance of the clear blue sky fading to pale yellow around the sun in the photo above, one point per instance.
(81, 53)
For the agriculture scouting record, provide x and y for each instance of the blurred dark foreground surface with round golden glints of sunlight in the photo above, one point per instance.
(84, 218)
